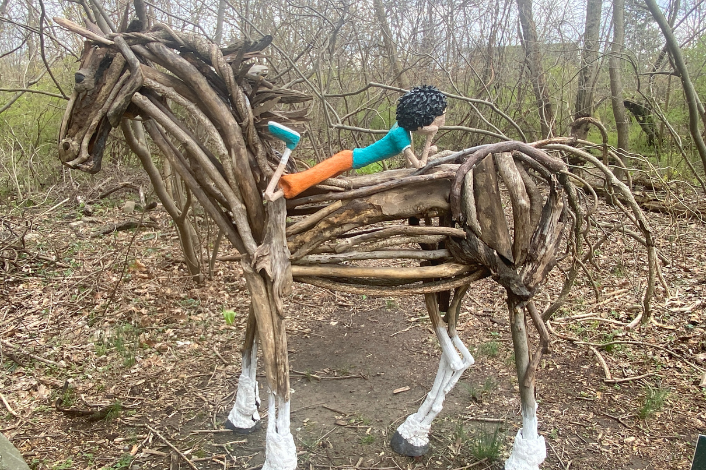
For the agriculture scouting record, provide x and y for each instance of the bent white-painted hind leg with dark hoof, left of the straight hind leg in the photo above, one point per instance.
(412, 436)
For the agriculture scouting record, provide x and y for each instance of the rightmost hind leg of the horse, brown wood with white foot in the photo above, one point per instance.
(529, 449)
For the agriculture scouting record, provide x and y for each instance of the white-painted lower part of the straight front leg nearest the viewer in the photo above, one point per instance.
(280, 451)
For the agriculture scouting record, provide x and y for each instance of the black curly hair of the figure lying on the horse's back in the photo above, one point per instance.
(419, 107)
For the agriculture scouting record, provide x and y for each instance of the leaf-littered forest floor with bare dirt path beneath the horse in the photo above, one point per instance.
(113, 358)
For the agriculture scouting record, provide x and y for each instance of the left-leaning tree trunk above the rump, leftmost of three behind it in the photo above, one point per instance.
(534, 63)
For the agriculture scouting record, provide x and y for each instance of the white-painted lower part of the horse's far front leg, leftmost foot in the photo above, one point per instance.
(244, 418)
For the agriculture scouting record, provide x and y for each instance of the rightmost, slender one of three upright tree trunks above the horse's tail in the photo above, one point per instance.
(616, 85)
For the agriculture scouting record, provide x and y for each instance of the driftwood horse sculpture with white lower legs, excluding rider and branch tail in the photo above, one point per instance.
(448, 215)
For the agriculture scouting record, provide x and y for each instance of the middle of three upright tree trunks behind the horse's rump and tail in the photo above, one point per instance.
(589, 66)
